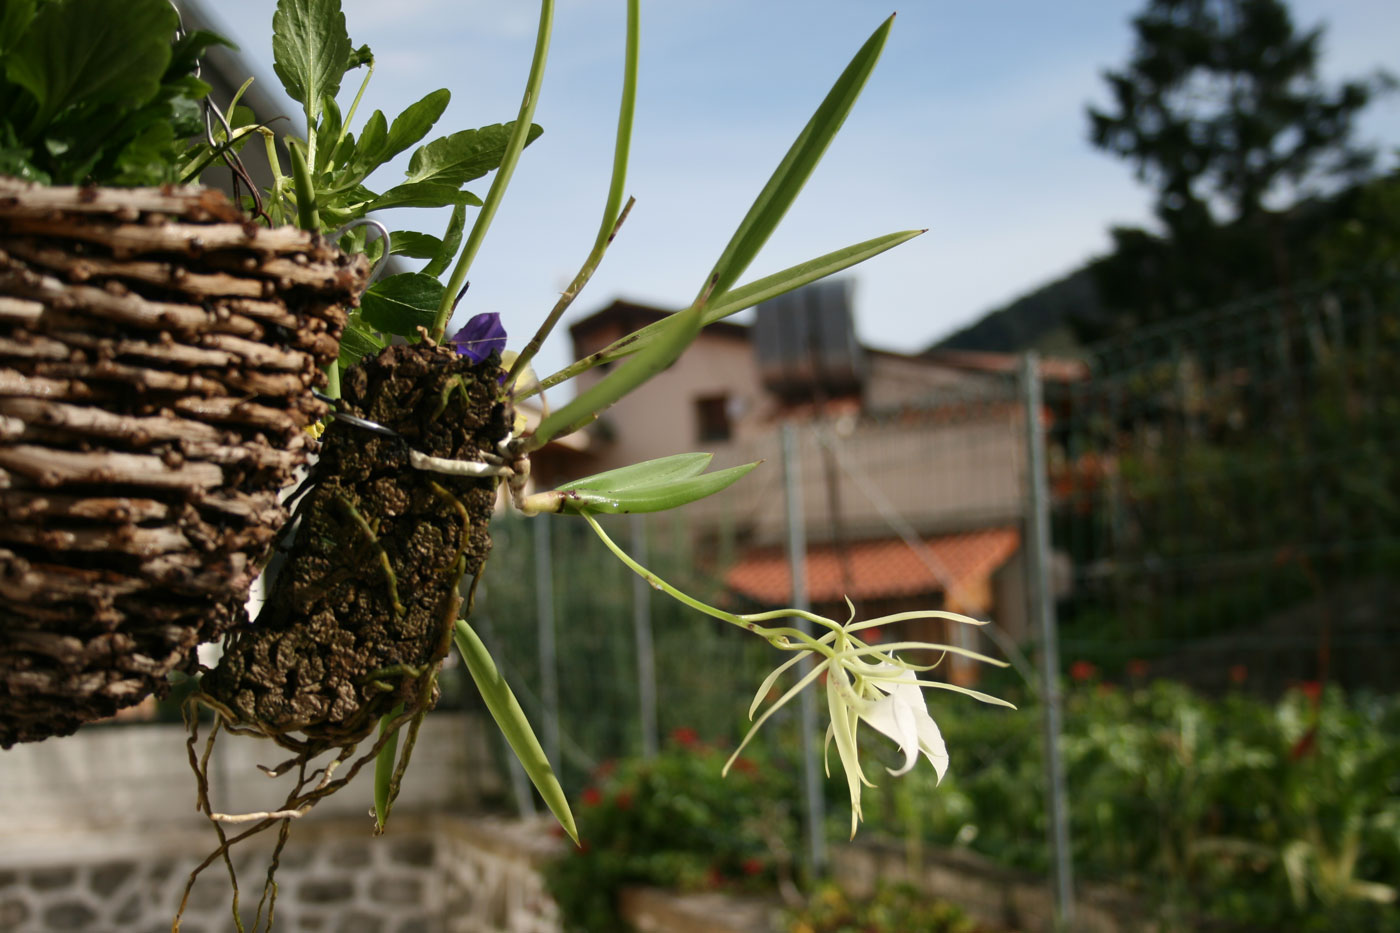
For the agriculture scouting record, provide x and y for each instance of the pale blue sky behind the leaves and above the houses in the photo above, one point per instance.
(972, 127)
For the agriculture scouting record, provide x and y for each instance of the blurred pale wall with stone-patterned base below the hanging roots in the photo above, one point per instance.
(99, 833)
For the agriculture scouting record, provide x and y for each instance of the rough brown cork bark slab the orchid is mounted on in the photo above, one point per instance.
(362, 613)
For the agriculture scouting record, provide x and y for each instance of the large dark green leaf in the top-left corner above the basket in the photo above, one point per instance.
(94, 53)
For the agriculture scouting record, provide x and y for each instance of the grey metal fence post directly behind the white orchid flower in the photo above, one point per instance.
(815, 805)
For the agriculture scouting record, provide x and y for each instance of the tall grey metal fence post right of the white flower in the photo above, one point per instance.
(1042, 610)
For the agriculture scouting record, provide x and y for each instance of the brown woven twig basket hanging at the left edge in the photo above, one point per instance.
(157, 357)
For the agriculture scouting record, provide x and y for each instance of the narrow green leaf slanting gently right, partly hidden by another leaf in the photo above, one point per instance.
(740, 299)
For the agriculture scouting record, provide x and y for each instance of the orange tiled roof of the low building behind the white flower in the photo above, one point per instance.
(878, 569)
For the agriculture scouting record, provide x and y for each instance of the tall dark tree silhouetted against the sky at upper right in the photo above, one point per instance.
(1221, 110)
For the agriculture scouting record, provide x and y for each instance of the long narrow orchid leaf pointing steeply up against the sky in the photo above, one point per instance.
(796, 169)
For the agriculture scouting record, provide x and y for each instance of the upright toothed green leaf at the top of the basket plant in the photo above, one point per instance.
(311, 51)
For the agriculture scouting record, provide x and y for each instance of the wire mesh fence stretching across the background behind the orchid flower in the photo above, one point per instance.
(1224, 515)
